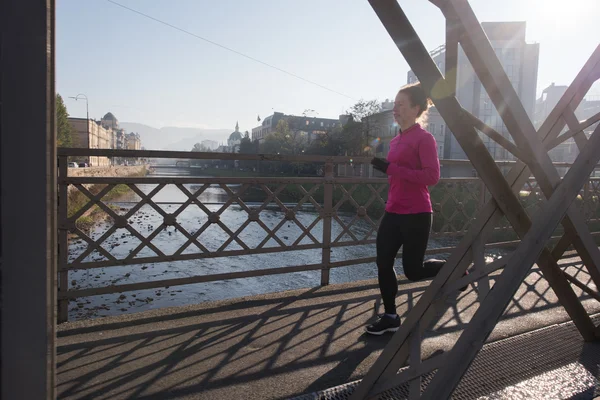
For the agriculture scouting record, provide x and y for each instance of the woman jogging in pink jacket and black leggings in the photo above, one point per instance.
(412, 165)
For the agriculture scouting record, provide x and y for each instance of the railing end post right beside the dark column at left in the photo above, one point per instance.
(63, 244)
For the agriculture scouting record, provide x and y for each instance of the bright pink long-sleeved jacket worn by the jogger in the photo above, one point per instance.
(414, 165)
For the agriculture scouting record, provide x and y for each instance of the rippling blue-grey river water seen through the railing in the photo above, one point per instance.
(147, 219)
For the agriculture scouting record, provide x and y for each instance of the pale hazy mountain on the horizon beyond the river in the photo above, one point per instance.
(174, 138)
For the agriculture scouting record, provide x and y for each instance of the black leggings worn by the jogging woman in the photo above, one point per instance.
(412, 232)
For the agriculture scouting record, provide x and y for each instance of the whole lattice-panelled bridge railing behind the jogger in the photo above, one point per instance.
(273, 215)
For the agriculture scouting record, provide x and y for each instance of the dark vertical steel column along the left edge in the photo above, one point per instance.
(28, 201)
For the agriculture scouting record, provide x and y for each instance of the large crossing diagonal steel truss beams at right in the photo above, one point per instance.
(462, 27)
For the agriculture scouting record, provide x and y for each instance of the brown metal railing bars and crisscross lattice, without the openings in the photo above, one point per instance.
(454, 200)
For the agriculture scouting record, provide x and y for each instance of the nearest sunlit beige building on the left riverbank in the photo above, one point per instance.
(92, 135)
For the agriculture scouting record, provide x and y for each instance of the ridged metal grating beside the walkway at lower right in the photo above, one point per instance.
(530, 362)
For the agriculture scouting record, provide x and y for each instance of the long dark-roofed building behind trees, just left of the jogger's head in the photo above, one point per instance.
(308, 126)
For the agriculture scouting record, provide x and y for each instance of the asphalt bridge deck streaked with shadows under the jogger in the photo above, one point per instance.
(279, 345)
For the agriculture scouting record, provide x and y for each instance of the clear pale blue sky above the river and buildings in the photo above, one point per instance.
(144, 71)
